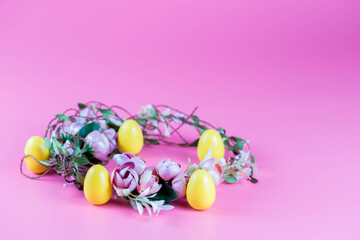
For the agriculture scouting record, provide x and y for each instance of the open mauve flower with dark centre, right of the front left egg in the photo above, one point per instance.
(124, 179)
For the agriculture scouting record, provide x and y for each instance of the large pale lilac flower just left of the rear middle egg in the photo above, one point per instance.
(101, 144)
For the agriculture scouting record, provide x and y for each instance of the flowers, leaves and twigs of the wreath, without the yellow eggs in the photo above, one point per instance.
(80, 138)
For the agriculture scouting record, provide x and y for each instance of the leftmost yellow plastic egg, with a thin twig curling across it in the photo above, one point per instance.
(35, 147)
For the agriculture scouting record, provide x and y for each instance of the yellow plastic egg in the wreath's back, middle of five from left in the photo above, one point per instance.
(130, 137)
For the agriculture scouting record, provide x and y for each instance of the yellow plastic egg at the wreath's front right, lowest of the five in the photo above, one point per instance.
(200, 191)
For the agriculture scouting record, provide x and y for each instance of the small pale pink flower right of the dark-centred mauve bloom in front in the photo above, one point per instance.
(149, 180)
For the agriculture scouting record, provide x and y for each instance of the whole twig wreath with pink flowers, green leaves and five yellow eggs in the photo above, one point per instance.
(80, 141)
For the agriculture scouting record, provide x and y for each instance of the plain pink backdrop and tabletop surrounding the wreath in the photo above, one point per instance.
(284, 74)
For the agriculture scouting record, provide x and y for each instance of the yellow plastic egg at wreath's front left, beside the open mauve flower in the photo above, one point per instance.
(97, 185)
